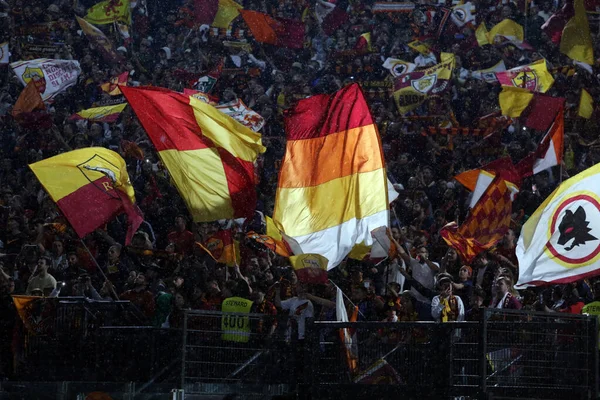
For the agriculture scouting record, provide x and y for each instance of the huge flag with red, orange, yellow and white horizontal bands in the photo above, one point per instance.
(333, 152)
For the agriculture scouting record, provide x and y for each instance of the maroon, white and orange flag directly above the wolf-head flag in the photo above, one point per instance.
(549, 152)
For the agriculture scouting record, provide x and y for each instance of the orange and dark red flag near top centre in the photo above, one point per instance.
(281, 32)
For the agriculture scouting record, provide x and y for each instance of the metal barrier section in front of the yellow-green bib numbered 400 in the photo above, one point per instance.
(224, 348)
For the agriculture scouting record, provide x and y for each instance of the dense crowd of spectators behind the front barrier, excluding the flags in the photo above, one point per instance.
(164, 271)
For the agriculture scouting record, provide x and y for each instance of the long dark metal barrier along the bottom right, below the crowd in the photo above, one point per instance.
(508, 353)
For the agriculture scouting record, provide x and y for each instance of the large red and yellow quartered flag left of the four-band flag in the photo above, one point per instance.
(209, 155)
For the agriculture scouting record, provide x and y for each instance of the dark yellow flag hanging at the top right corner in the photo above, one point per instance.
(576, 41)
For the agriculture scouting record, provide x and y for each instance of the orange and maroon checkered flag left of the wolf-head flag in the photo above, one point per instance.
(486, 224)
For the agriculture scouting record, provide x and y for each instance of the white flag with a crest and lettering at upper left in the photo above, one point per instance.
(50, 76)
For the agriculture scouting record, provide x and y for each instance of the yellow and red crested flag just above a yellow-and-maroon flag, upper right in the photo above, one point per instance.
(533, 77)
